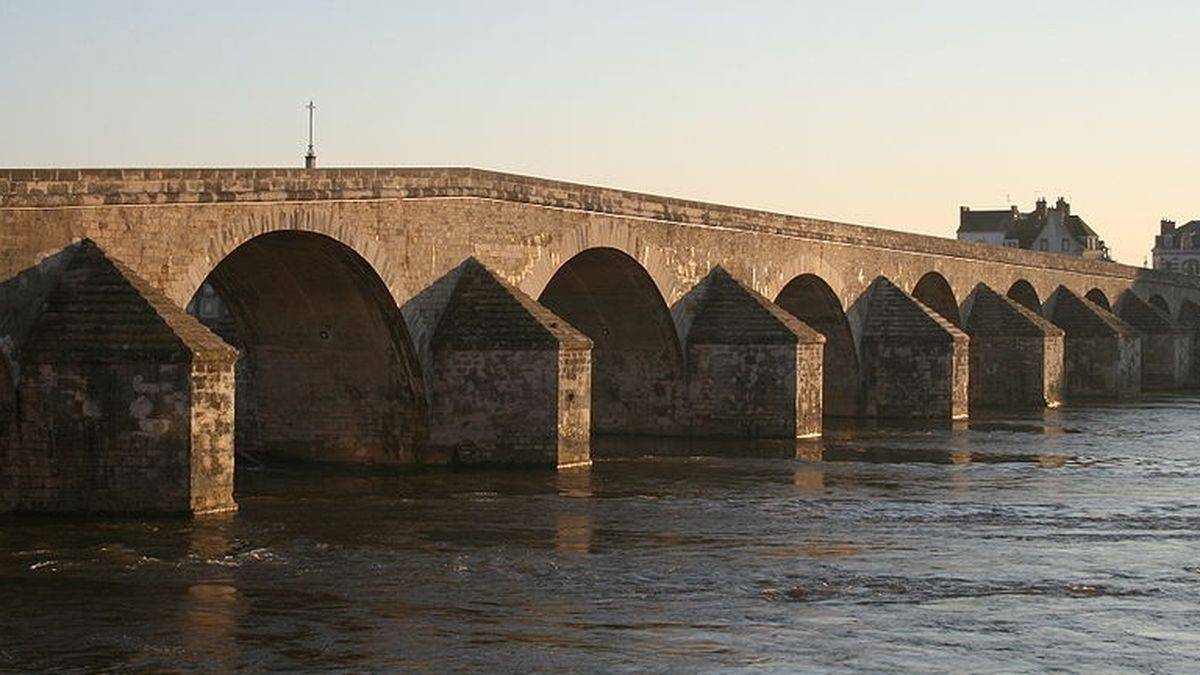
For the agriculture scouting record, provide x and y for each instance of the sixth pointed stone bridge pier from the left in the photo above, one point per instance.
(1102, 354)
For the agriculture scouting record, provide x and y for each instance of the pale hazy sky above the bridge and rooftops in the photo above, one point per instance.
(881, 114)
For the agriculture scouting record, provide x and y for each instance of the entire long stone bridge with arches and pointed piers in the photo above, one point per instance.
(435, 316)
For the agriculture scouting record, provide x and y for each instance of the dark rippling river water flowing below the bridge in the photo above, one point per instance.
(1021, 542)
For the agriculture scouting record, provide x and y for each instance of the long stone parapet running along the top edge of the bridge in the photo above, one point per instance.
(58, 188)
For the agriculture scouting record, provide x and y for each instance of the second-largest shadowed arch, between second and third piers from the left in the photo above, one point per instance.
(637, 360)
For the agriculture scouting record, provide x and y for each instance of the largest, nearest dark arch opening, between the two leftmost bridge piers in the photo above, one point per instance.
(328, 372)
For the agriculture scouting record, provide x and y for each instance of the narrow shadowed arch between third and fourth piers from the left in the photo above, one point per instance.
(814, 302)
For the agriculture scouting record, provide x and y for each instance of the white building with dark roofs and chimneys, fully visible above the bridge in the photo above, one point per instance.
(1052, 230)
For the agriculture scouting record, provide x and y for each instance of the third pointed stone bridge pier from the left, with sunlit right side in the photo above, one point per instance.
(753, 369)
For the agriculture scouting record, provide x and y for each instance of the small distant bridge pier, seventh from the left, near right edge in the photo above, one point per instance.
(1166, 347)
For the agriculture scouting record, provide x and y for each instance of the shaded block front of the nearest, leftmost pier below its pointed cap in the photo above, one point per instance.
(103, 438)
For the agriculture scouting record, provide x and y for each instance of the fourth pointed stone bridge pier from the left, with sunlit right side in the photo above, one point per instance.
(915, 362)
